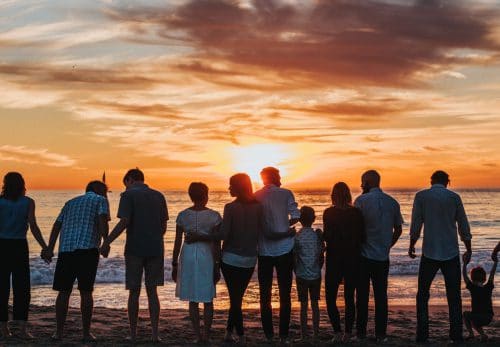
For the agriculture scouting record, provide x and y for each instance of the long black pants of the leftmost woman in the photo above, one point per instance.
(14, 262)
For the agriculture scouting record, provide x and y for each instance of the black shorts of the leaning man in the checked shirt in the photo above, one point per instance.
(80, 264)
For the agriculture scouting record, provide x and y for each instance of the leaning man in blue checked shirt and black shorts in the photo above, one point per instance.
(82, 223)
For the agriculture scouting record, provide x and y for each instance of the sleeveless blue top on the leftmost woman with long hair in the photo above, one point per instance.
(14, 218)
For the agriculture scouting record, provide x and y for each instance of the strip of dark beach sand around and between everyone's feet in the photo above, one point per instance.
(110, 326)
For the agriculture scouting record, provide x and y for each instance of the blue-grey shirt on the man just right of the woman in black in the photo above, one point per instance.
(381, 214)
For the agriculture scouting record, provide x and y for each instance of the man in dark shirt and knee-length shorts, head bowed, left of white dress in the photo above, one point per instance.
(143, 212)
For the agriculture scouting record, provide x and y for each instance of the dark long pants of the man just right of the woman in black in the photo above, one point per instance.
(378, 273)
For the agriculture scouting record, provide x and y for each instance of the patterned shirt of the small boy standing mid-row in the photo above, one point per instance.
(307, 251)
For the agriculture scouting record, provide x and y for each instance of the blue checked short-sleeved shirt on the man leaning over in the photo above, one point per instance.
(79, 222)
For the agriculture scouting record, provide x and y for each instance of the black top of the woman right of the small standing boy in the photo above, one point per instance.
(344, 231)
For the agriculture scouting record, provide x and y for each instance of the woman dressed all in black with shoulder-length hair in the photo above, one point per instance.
(343, 233)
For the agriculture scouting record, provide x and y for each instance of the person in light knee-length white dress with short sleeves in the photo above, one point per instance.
(197, 269)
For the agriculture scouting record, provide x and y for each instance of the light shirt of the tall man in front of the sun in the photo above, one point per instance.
(279, 206)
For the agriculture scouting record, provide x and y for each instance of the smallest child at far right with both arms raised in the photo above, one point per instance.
(482, 308)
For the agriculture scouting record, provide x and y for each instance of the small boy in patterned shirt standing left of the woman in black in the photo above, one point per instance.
(308, 254)
